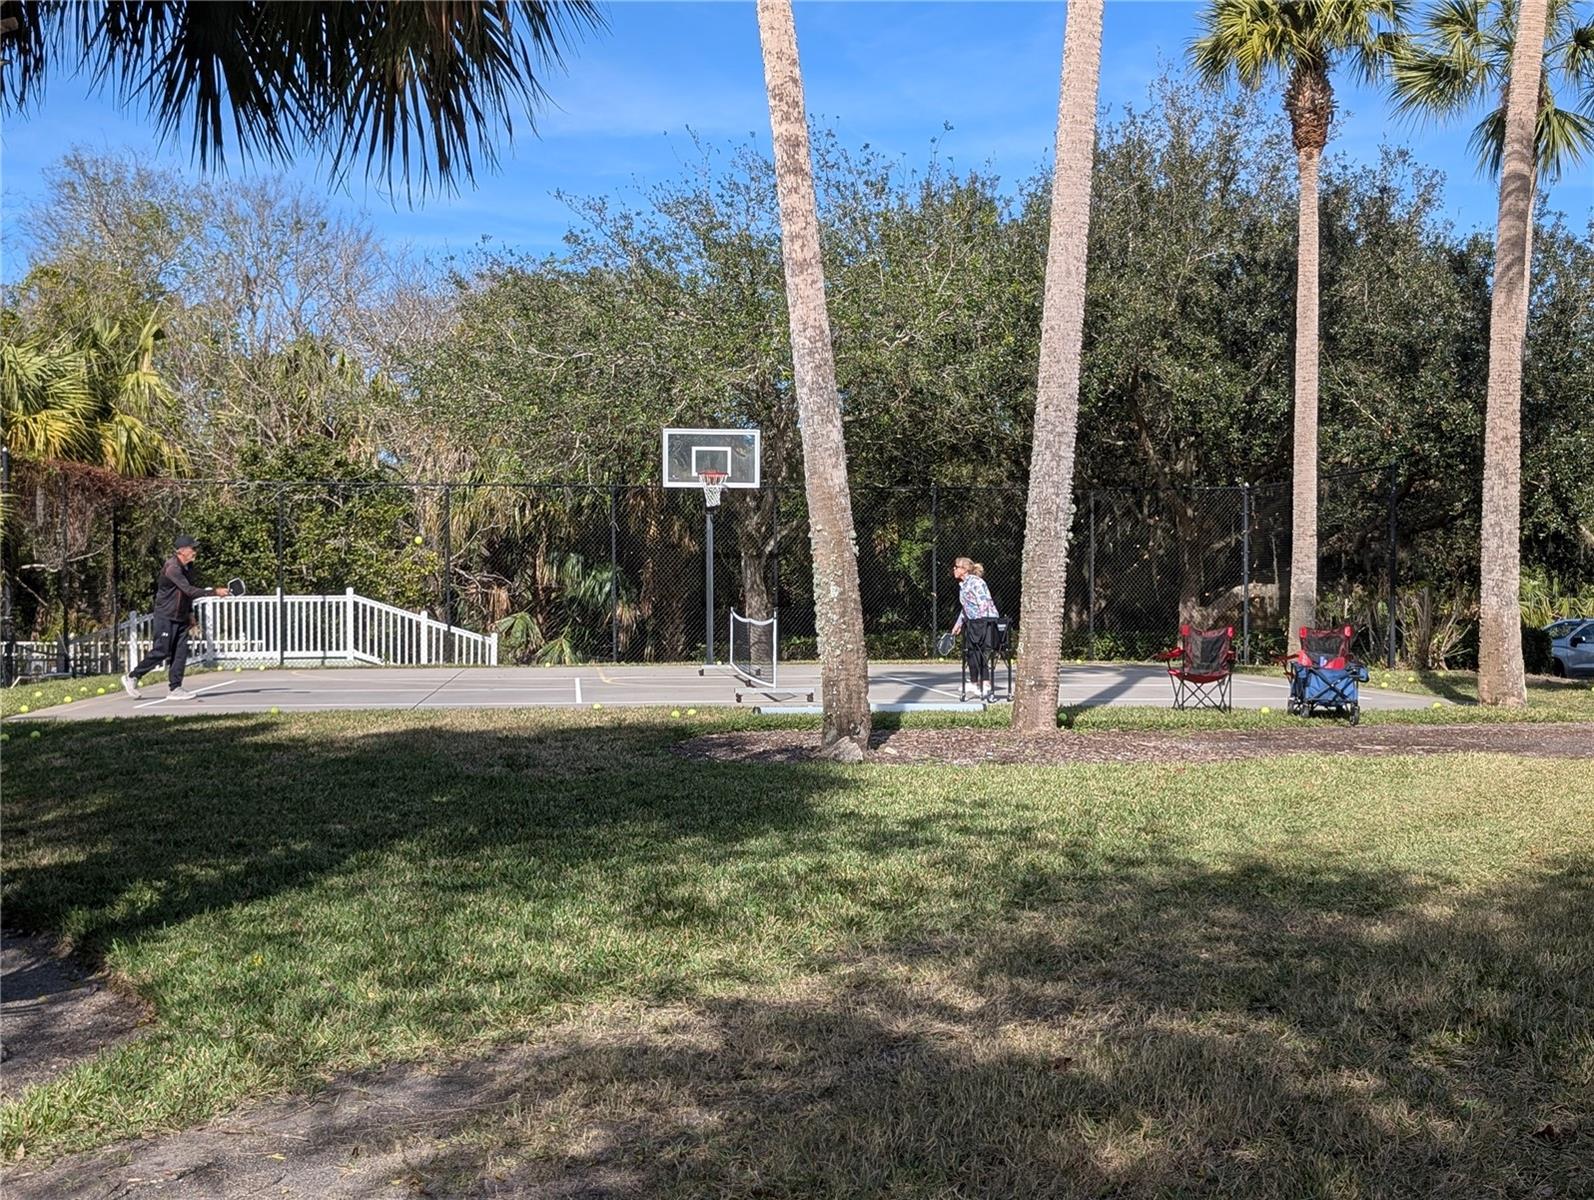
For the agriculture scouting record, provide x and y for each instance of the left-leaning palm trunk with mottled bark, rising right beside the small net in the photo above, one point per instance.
(839, 614)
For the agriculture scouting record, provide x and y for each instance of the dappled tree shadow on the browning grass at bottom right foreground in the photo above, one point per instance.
(1147, 1030)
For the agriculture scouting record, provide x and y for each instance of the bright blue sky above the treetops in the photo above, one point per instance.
(889, 74)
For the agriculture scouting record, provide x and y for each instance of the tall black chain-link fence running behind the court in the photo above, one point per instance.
(579, 573)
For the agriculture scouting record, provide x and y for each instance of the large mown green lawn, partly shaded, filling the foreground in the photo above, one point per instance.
(1290, 978)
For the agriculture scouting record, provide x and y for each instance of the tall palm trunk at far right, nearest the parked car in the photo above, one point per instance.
(1501, 676)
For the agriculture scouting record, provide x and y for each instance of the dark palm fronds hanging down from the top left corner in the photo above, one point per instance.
(423, 84)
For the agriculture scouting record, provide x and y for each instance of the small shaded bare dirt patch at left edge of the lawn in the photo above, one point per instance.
(55, 1011)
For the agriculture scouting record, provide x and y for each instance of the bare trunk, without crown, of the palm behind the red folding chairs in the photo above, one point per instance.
(1303, 541)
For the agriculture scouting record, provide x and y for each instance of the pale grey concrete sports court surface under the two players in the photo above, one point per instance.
(890, 684)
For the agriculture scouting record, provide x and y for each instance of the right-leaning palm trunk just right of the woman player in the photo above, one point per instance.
(1058, 391)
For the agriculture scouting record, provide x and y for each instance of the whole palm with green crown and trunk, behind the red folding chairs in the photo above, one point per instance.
(1302, 41)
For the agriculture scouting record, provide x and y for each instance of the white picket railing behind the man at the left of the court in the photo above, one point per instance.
(265, 630)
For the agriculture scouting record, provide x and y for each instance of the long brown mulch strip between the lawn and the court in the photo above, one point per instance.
(976, 747)
